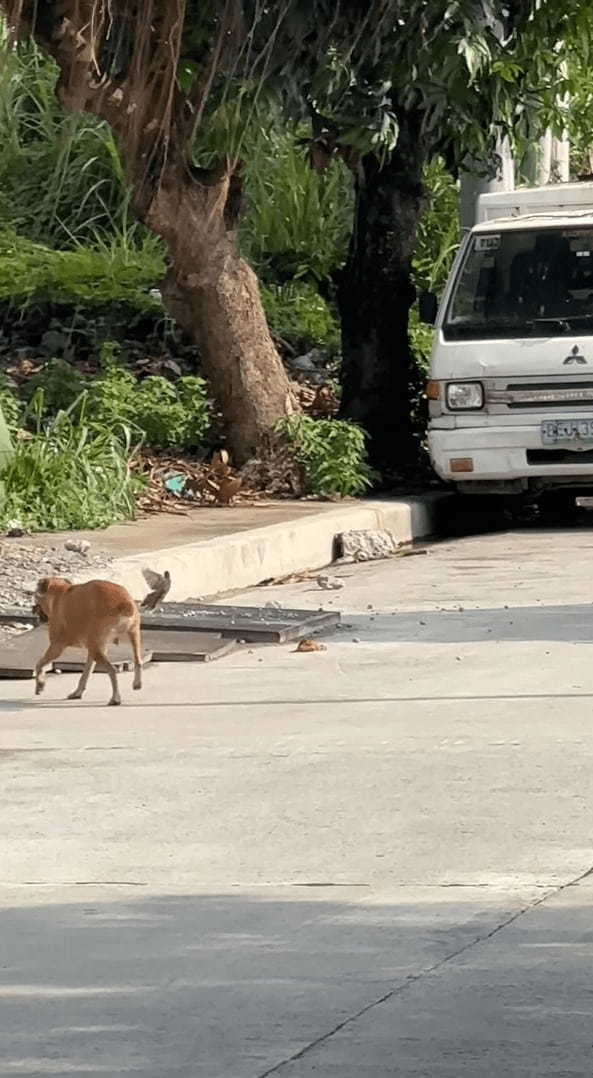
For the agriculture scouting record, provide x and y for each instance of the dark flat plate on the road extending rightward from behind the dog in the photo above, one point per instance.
(266, 625)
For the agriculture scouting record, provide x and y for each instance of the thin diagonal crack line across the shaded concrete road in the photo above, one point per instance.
(415, 978)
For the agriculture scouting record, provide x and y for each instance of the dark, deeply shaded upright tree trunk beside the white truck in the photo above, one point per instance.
(376, 295)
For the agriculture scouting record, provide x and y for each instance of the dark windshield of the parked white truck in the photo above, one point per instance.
(525, 283)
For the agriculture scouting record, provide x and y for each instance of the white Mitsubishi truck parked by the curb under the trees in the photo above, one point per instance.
(512, 371)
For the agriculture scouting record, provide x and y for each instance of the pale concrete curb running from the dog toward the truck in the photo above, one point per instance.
(245, 559)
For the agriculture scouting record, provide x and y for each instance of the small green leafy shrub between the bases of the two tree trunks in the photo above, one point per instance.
(332, 453)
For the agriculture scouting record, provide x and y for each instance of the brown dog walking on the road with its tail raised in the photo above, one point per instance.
(88, 616)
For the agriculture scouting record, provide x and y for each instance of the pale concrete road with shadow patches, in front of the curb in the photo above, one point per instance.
(370, 861)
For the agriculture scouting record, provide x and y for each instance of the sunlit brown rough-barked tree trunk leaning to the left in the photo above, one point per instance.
(214, 296)
